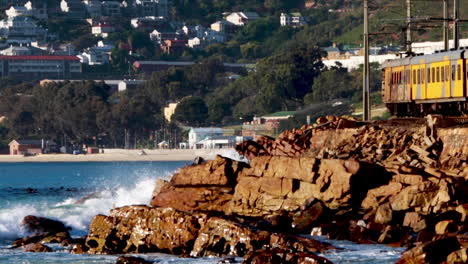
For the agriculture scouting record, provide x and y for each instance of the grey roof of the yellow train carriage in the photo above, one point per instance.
(429, 58)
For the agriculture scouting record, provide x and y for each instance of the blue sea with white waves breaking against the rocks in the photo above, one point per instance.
(75, 192)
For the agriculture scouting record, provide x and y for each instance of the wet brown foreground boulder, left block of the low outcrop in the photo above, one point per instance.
(141, 229)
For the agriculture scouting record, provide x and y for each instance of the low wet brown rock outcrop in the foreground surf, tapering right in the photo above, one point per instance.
(142, 229)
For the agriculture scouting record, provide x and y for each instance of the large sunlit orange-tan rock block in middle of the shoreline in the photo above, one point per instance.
(274, 184)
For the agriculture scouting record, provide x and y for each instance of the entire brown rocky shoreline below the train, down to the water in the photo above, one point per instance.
(399, 185)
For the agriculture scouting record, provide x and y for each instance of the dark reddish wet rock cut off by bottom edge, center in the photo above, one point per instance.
(280, 256)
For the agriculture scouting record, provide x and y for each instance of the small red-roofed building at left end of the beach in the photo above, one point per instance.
(31, 146)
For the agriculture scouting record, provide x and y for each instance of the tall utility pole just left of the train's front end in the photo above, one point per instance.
(366, 73)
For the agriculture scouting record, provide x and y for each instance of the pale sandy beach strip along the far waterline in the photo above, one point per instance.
(122, 155)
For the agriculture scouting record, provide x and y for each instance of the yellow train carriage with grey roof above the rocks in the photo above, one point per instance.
(424, 84)
